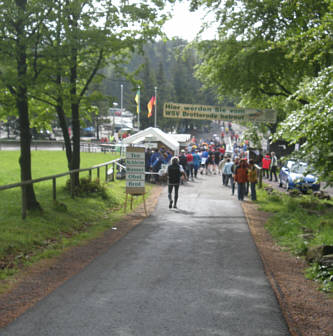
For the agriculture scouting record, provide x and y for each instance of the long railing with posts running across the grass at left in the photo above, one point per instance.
(109, 176)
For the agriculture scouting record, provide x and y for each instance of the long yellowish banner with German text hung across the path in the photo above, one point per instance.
(209, 112)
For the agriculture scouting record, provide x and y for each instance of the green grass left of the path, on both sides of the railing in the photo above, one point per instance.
(64, 223)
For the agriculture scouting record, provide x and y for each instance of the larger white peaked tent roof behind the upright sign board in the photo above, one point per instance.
(152, 134)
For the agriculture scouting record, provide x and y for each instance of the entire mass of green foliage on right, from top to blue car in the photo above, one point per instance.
(277, 54)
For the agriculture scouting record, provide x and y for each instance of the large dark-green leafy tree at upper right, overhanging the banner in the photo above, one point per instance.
(255, 57)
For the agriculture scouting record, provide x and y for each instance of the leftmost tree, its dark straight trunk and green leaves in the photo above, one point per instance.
(20, 27)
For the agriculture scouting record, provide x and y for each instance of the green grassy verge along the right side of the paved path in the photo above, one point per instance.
(298, 224)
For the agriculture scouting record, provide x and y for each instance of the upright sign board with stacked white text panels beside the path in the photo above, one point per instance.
(135, 170)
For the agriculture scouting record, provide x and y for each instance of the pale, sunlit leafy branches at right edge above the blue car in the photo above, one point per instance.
(312, 124)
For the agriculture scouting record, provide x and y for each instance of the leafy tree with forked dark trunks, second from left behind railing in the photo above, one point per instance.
(76, 46)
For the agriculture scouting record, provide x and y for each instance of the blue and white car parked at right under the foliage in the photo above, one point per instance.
(295, 175)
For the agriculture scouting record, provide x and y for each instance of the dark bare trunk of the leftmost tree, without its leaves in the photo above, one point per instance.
(28, 193)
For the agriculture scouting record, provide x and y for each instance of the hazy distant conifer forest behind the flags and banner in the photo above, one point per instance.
(169, 66)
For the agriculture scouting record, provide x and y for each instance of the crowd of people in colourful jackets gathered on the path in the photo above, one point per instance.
(210, 157)
